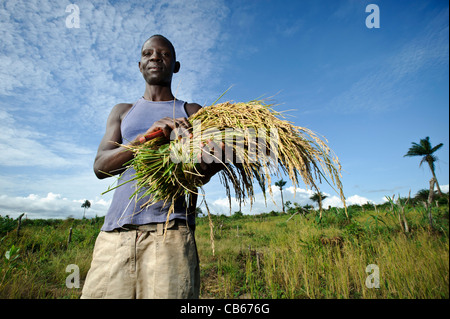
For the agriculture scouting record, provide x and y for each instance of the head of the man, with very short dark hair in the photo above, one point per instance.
(157, 63)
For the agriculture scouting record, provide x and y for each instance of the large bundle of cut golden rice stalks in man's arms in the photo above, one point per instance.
(252, 142)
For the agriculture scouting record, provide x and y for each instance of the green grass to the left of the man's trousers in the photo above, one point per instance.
(40, 268)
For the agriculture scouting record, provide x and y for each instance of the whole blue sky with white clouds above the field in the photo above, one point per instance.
(370, 92)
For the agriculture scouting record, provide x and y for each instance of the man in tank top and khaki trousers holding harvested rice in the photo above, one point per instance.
(131, 258)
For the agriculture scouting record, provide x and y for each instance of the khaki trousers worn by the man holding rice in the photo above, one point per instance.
(141, 263)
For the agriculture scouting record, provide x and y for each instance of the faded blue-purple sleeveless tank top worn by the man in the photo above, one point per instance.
(125, 208)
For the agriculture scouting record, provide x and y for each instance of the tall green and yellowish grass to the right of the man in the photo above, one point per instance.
(271, 258)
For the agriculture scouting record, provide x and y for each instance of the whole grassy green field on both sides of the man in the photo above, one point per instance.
(270, 255)
